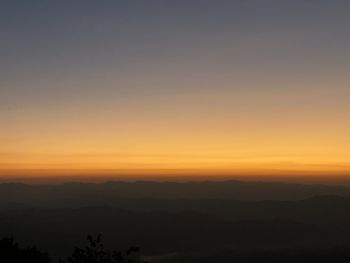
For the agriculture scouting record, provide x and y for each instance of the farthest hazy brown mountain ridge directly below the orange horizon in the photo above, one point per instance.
(109, 193)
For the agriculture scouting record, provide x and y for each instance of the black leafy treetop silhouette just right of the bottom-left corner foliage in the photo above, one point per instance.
(95, 252)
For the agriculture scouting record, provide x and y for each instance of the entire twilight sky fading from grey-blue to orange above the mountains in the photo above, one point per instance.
(173, 87)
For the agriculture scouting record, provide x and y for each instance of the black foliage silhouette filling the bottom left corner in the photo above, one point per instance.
(11, 252)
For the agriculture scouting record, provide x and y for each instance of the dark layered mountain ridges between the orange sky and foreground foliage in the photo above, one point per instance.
(179, 222)
